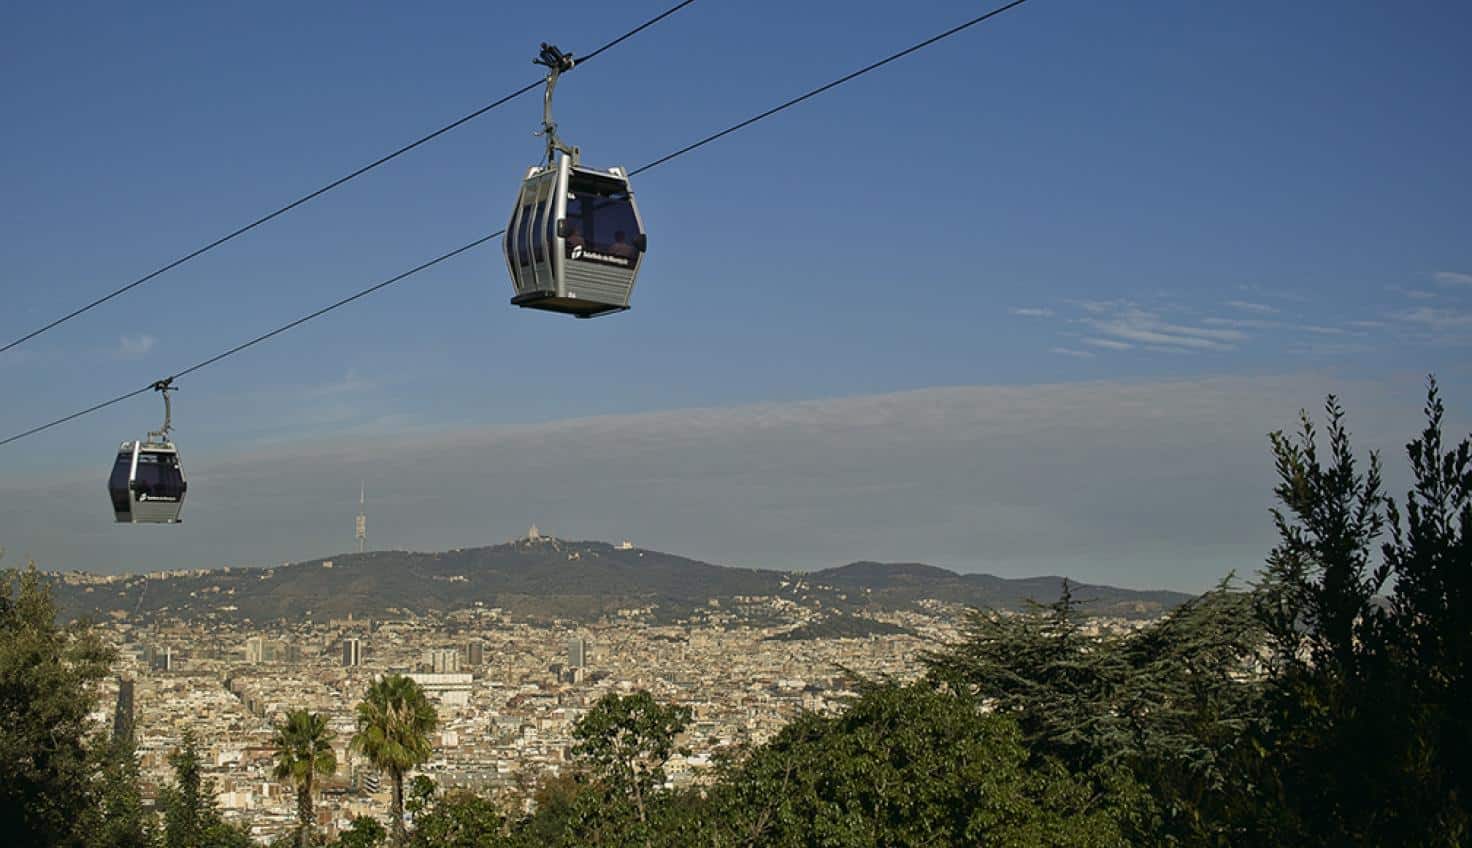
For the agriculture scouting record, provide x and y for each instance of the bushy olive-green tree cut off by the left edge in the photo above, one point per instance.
(48, 678)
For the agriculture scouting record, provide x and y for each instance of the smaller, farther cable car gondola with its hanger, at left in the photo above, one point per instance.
(148, 482)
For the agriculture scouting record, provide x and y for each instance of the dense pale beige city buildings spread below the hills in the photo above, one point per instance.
(507, 688)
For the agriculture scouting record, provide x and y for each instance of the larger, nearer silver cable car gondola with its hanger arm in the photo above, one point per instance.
(576, 241)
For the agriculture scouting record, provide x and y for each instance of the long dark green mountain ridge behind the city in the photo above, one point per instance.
(545, 578)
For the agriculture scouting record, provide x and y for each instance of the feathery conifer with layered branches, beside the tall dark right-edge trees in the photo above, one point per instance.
(1171, 702)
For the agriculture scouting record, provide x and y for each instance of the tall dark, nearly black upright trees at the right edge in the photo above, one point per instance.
(1367, 740)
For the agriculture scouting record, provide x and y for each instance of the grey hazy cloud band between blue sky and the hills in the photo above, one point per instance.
(1150, 485)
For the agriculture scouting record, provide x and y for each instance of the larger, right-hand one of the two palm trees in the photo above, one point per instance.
(395, 722)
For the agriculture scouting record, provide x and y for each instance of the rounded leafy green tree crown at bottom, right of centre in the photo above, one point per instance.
(912, 766)
